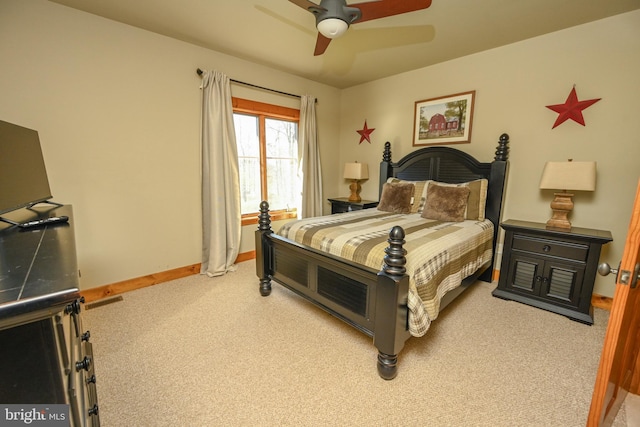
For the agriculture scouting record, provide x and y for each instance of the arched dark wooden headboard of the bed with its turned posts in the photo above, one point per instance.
(453, 166)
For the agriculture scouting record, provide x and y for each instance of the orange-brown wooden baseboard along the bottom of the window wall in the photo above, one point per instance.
(106, 291)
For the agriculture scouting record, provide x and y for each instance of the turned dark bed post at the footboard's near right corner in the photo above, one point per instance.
(390, 327)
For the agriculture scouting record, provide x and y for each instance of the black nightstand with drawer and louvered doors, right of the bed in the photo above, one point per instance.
(548, 269)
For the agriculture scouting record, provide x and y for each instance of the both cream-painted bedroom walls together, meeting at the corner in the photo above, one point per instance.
(118, 109)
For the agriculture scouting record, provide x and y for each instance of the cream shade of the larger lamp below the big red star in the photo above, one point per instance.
(575, 176)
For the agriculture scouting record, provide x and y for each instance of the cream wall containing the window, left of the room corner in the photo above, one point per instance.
(118, 113)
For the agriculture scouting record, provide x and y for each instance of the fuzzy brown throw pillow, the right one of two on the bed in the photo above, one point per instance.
(446, 203)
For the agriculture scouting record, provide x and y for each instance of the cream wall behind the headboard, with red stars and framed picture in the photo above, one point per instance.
(513, 85)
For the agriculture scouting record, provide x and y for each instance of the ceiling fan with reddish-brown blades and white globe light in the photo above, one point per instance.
(333, 17)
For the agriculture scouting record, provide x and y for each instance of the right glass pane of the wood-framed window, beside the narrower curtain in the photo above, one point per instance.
(283, 183)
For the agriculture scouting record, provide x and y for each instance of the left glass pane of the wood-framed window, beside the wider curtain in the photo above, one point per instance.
(248, 141)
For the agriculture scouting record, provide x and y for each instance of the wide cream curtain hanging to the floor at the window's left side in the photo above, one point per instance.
(221, 218)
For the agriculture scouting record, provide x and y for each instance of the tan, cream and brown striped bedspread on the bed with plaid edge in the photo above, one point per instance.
(439, 254)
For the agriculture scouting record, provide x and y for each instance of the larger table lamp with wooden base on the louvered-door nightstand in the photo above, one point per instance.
(566, 176)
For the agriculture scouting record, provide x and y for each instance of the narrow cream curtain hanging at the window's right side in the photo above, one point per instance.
(310, 159)
